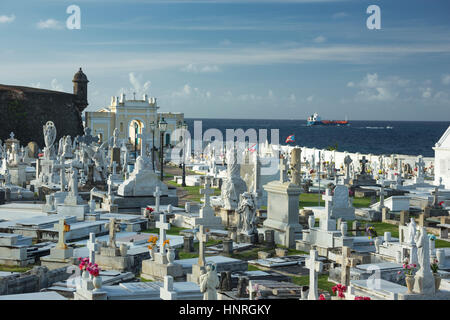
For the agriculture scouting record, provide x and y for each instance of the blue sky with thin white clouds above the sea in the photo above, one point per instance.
(239, 59)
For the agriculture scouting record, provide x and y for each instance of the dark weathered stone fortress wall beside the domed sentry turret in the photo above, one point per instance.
(25, 110)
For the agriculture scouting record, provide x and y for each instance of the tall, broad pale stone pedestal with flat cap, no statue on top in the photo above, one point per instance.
(282, 212)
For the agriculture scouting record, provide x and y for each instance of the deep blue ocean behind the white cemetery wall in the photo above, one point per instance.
(376, 137)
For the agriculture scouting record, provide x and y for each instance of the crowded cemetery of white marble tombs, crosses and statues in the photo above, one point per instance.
(87, 219)
